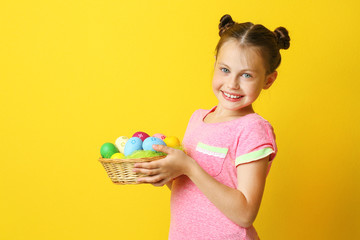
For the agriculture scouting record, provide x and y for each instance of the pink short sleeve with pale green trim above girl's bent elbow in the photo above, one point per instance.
(256, 141)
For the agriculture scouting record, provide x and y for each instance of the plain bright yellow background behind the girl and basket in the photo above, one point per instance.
(77, 74)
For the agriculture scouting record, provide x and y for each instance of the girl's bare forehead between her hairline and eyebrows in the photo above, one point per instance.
(234, 54)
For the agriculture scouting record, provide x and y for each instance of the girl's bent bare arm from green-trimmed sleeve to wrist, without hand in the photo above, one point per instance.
(239, 205)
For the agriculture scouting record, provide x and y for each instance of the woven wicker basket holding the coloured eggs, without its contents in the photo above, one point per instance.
(120, 170)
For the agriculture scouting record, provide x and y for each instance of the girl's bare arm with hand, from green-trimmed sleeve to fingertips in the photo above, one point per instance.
(239, 205)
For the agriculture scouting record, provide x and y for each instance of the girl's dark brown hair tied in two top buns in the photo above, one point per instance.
(248, 34)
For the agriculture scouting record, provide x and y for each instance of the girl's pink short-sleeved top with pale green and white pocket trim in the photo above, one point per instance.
(218, 148)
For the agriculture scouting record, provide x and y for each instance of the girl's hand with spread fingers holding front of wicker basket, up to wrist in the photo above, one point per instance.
(161, 171)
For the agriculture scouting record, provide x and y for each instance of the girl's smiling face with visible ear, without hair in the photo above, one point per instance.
(239, 77)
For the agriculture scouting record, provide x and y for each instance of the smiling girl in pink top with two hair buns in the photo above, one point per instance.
(217, 187)
